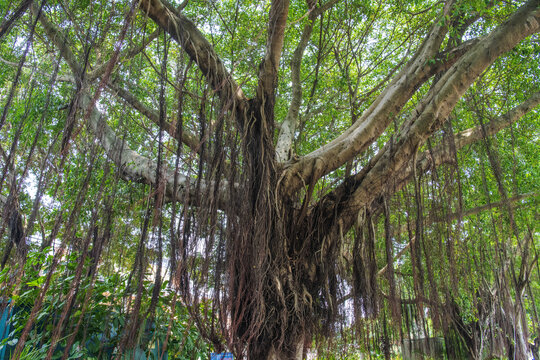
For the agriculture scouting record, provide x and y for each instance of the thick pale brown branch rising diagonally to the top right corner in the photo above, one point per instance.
(442, 98)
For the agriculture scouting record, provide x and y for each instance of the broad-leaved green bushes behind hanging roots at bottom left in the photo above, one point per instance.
(103, 320)
